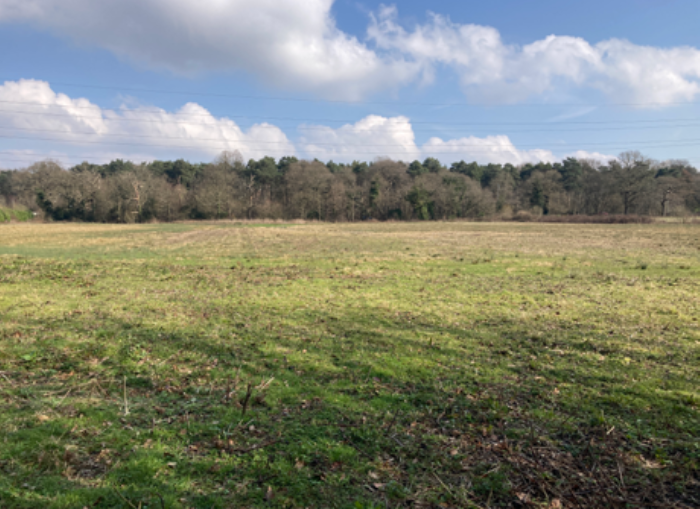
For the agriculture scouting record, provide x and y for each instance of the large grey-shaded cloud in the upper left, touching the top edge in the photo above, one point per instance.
(286, 42)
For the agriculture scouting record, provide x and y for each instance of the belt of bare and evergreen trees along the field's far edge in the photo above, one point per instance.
(125, 192)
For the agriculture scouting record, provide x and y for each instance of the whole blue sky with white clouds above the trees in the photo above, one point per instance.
(498, 81)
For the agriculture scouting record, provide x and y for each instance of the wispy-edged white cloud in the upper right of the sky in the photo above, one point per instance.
(493, 71)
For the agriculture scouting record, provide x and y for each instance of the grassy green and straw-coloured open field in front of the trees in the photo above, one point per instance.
(376, 365)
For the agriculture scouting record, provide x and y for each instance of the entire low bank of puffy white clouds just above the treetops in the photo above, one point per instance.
(77, 129)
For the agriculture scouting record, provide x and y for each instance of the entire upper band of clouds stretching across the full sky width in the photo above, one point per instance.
(297, 45)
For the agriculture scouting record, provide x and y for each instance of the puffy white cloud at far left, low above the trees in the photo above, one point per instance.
(31, 109)
